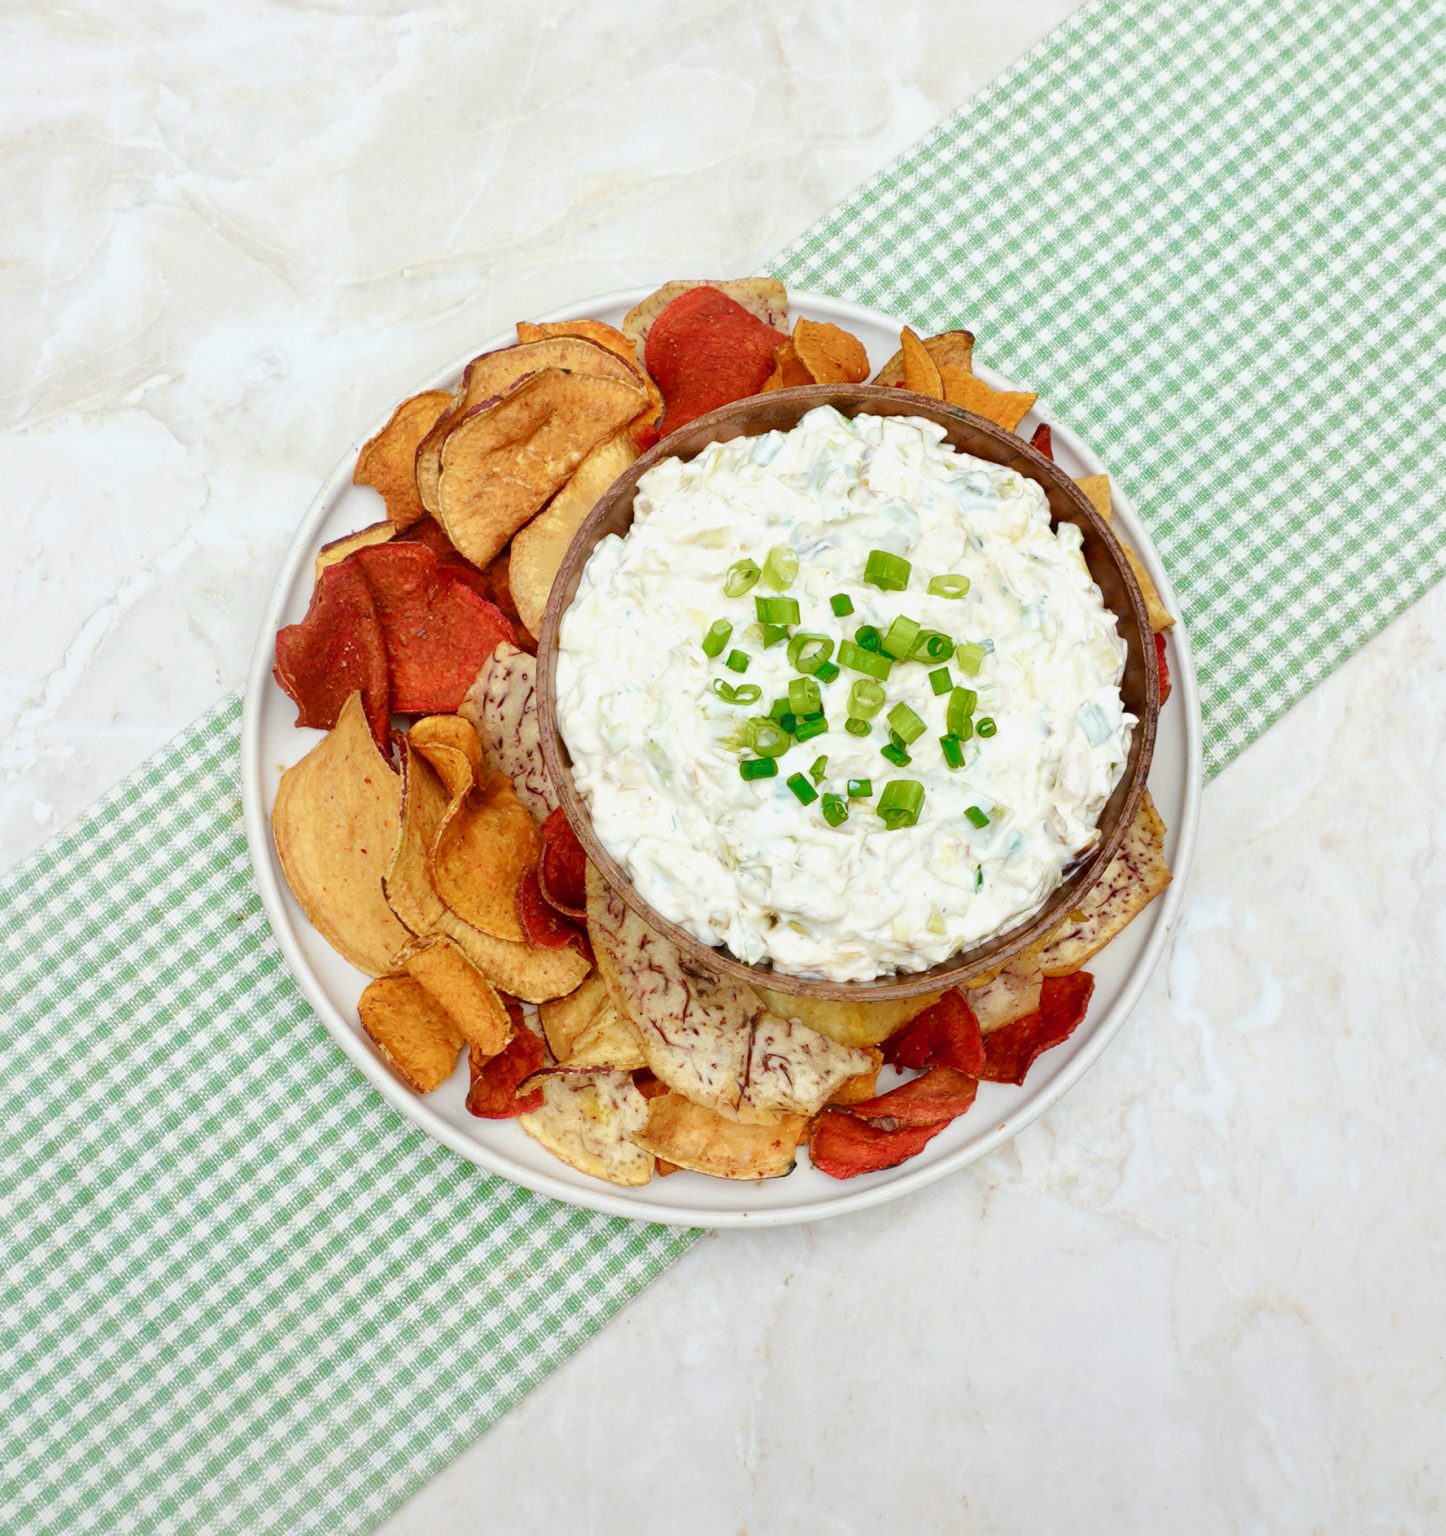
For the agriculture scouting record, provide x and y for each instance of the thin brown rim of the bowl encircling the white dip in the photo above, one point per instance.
(989, 955)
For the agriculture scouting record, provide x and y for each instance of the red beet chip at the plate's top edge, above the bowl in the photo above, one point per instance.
(706, 351)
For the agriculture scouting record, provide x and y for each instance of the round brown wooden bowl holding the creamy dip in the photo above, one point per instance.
(1139, 689)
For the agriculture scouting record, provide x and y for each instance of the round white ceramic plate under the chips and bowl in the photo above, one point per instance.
(271, 743)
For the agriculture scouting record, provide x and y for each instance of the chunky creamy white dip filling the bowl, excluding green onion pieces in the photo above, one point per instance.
(741, 862)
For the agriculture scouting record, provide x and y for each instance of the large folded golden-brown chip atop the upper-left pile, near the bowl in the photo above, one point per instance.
(505, 460)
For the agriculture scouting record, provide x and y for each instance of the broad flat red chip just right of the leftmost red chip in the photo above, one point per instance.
(437, 631)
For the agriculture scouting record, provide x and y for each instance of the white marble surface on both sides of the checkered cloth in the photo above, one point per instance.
(1206, 1293)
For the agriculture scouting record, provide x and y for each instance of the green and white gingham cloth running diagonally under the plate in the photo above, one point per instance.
(237, 1294)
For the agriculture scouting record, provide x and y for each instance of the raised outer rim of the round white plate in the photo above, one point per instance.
(606, 1200)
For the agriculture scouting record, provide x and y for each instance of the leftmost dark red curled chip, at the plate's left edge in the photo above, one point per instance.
(334, 652)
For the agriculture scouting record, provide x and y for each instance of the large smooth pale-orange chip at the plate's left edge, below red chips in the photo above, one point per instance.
(336, 827)
